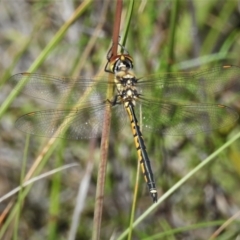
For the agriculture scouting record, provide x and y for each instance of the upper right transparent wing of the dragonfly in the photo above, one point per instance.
(194, 86)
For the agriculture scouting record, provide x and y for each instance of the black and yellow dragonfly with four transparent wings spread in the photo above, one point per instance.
(166, 103)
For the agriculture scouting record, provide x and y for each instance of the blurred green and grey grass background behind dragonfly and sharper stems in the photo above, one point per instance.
(205, 33)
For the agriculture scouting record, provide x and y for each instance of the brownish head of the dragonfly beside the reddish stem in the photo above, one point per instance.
(122, 62)
